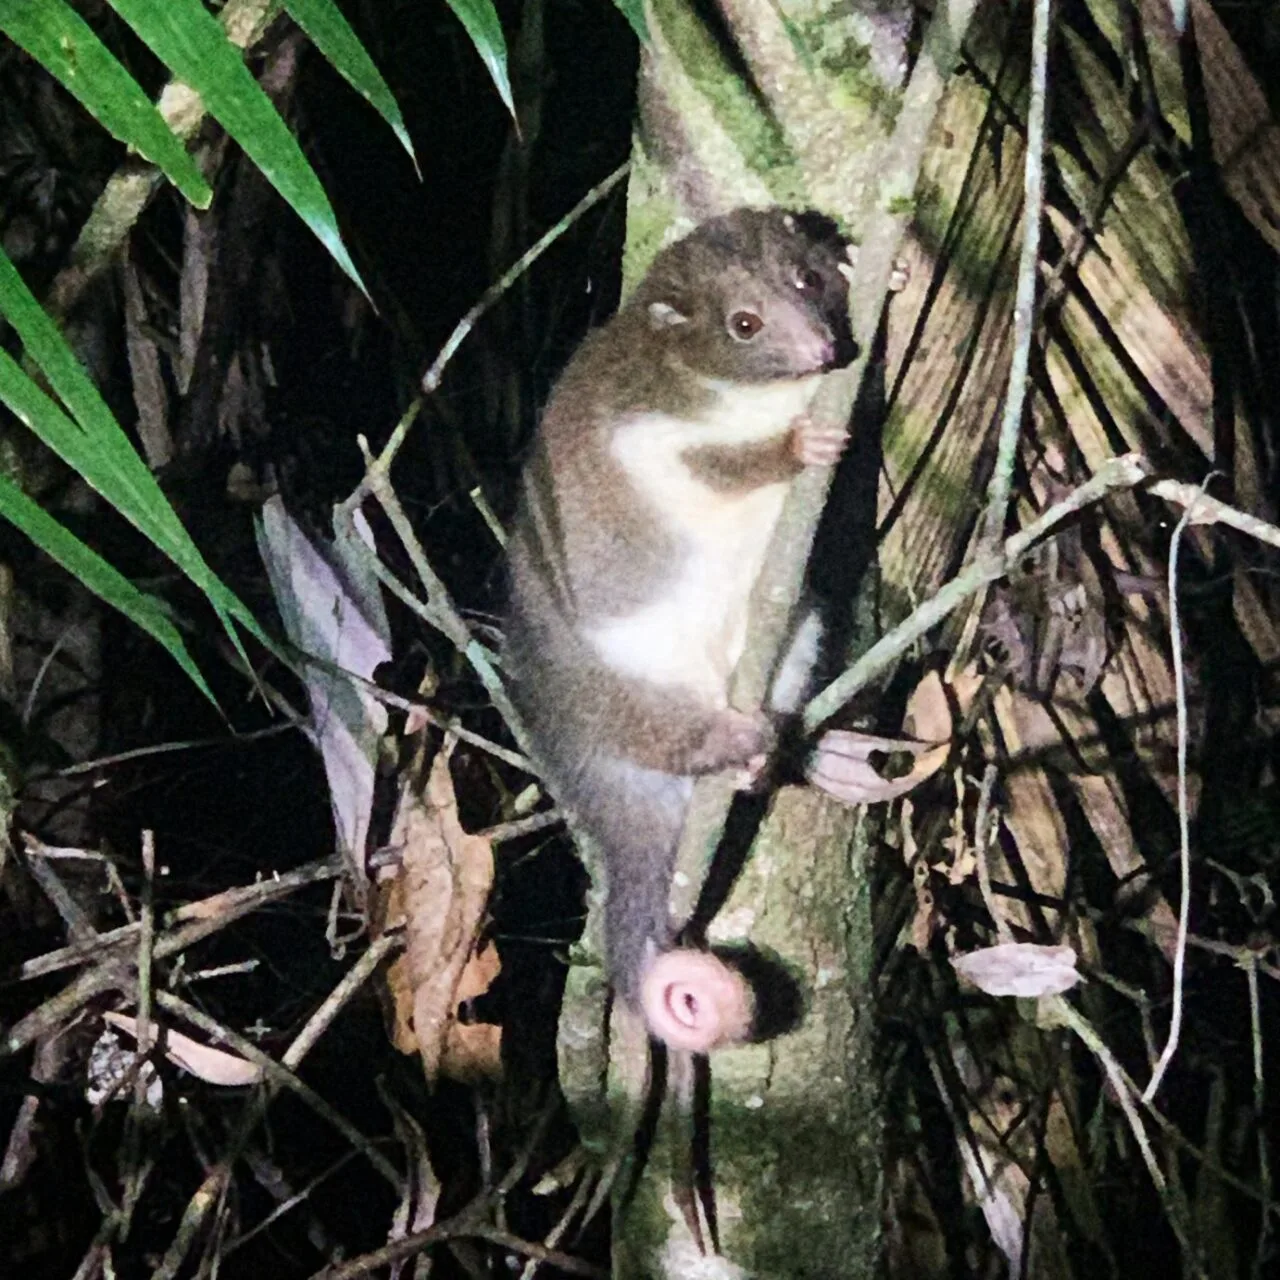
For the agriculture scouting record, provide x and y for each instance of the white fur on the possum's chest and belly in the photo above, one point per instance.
(693, 630)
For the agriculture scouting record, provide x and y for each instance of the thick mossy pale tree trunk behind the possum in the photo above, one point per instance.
(794, 1124)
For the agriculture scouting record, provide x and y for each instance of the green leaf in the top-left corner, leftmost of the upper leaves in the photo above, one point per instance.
(60, 39)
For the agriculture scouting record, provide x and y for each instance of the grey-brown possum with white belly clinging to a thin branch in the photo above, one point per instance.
(659, 474)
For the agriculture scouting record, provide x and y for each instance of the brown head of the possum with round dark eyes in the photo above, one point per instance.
(753, 298)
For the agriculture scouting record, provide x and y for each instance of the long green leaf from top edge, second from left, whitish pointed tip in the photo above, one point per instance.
(189, 40)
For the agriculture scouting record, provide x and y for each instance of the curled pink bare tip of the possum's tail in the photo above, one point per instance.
(694, 1002)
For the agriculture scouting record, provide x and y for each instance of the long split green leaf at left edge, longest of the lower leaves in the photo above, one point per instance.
(98, 449)
